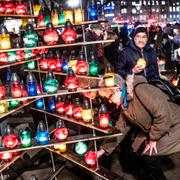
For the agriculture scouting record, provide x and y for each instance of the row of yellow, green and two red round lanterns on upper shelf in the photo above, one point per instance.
(30, 37)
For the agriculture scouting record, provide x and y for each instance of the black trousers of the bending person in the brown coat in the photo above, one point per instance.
(141, 166)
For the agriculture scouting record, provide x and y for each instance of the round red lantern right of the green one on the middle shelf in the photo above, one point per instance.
(71, 81)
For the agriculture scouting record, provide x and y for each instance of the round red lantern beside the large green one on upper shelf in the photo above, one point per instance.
(50, 36)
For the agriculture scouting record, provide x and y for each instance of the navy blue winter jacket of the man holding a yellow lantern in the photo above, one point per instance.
(128, 57)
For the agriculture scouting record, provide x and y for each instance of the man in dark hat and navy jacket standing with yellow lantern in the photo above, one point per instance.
(138, 48)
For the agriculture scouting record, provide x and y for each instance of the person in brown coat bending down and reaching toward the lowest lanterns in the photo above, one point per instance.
(149, 120)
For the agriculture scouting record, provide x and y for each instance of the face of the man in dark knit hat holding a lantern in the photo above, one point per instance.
(140, 40)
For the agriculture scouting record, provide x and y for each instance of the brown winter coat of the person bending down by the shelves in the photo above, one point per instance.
(159, 121)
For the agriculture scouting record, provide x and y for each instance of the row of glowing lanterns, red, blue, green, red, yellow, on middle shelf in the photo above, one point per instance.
(50, 85)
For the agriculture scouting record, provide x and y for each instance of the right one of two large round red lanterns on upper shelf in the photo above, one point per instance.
(69, 34)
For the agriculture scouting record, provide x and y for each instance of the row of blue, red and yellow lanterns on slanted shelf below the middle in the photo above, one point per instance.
(76, 109)
